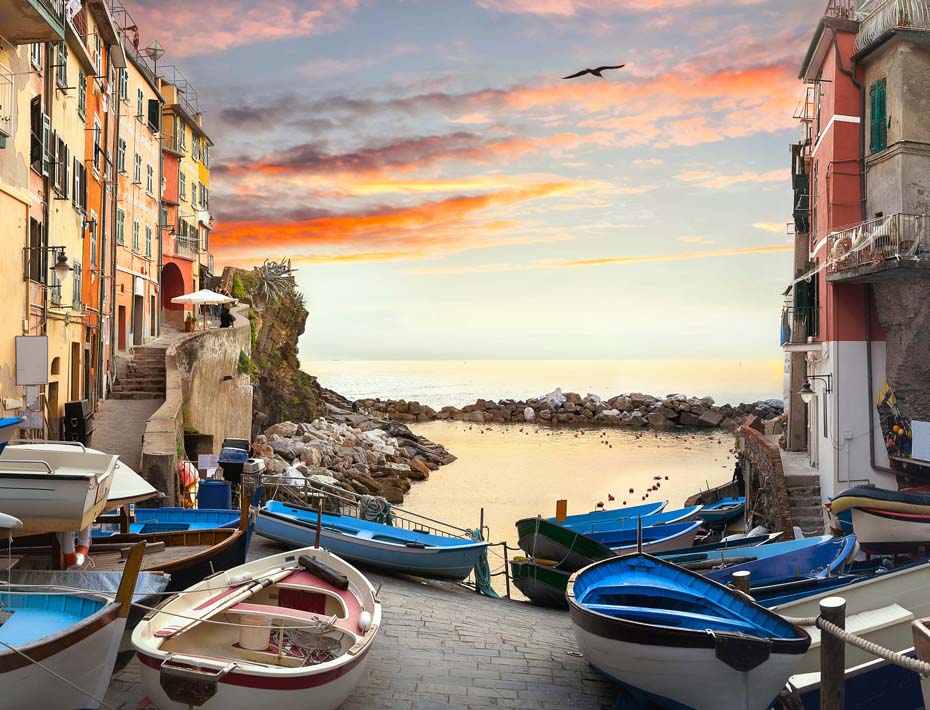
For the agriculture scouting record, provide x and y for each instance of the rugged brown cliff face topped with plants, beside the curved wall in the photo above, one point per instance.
(282, 391)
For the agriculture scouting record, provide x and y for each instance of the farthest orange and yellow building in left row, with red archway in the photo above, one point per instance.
(185, 203)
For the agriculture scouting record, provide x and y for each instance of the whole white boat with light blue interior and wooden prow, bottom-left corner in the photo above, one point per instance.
(47, 635)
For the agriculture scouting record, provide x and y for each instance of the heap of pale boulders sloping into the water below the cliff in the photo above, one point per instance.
(365, 455)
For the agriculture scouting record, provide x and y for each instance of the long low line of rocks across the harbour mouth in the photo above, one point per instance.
(624, 410)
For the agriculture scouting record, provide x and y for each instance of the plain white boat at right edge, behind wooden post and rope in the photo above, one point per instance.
(879, 609)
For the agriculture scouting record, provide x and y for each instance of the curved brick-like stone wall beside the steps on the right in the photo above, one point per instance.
(766, 490)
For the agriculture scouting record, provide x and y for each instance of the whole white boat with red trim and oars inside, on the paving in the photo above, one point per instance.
(291, 631)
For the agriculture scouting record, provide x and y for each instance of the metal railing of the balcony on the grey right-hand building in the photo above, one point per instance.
(898, 237)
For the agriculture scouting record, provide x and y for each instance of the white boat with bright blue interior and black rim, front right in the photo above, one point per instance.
(674, 638)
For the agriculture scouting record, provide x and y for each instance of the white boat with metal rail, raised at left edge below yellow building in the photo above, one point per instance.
(55, 487)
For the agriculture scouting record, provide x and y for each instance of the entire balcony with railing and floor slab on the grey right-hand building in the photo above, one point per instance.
(878, 249)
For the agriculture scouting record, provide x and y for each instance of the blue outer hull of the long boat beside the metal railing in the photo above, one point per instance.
(453, 563)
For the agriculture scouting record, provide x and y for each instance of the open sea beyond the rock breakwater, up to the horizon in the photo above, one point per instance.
(451, 382)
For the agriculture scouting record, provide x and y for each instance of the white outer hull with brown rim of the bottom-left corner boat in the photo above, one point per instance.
(85, 655)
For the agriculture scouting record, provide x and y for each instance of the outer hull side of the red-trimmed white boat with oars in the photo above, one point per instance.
(244, 691)
